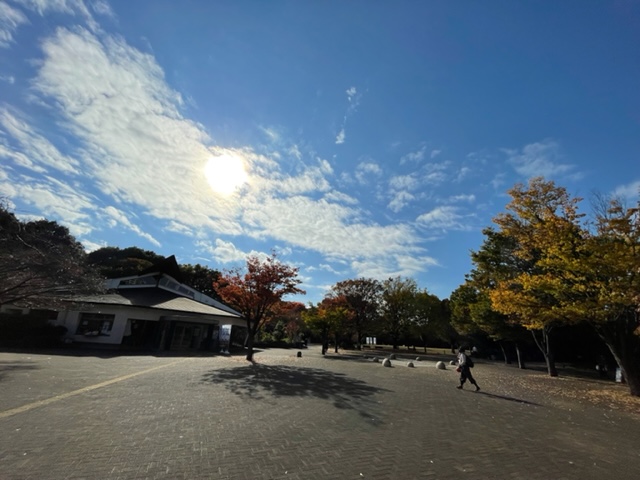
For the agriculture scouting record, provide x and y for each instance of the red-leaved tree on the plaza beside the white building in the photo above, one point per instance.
(257, 291)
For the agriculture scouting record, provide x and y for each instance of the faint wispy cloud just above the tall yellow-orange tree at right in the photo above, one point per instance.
(538, 159)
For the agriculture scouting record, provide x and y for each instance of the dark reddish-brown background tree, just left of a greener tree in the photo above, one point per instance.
(363, 298)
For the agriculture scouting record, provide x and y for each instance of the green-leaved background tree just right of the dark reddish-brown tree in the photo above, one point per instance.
(398, 307)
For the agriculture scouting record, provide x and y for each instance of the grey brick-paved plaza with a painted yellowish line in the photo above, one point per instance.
(93, 416)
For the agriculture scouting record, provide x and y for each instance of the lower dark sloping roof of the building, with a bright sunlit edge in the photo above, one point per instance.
(154, 298)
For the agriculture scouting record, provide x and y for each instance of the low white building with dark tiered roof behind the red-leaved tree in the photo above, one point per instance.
(150, 311)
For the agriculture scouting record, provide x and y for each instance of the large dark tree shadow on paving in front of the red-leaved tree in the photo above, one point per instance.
(259, 382)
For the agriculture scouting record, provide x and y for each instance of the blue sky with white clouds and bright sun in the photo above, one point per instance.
(356, 139)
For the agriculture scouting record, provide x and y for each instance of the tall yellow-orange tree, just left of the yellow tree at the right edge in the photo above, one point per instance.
(543, 224)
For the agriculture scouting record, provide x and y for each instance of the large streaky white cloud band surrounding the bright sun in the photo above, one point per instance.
(133, 142)
